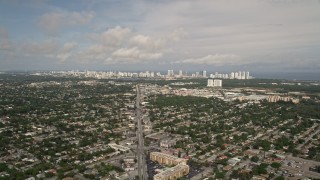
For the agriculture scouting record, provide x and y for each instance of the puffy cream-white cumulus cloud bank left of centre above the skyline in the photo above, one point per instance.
(125, 46)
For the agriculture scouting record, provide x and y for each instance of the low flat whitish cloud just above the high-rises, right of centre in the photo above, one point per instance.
(216, 59)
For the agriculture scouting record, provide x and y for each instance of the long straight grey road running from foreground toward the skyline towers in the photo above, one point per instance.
(140, 148)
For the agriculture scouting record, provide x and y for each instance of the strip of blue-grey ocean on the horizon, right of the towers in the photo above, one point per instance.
(287, 75)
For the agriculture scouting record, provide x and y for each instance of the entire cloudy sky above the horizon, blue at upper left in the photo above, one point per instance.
(217, 35)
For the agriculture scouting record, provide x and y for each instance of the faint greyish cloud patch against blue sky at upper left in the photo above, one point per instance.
(53, 22)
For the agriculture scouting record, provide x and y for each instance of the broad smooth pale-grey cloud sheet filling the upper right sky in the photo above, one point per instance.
(247, 28)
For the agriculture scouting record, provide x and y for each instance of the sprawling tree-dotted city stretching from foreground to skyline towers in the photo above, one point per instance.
(125, 125)
